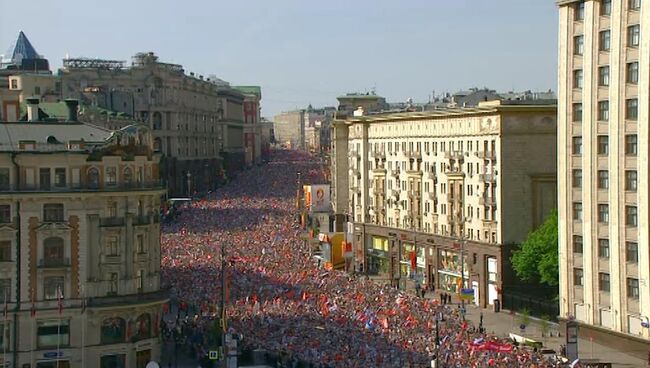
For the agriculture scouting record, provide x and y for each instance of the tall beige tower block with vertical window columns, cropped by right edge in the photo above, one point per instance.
(603, 110)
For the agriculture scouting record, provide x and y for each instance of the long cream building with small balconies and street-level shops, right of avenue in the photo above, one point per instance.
(422, 188)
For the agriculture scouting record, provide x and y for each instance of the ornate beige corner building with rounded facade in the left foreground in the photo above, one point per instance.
(79, 219)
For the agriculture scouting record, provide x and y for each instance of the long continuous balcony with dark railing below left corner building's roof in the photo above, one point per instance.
(86, 187)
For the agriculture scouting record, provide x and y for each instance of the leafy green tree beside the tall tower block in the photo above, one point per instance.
(536, 259)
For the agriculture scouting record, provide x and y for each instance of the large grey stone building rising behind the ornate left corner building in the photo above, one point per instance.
(197, 122)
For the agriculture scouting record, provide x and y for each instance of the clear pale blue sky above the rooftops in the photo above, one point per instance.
(310, 51)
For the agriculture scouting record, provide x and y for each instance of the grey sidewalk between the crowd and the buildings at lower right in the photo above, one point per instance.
(505, 322)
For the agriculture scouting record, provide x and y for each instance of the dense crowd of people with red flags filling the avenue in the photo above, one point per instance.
(279, 300)
